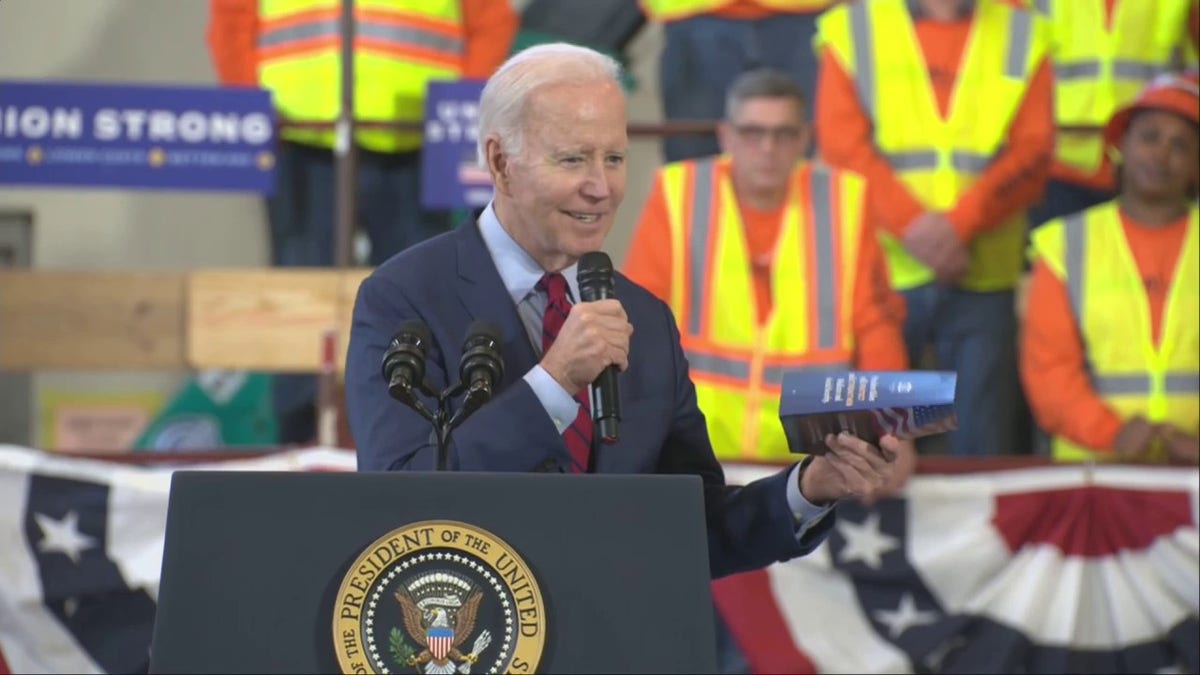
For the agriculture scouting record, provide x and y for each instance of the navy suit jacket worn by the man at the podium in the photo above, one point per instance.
(449, 282)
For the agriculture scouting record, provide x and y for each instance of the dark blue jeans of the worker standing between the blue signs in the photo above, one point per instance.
(302, 217)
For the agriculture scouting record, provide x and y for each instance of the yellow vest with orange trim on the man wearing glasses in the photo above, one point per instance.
(736, 363)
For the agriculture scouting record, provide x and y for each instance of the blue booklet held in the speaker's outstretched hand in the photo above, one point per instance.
(907, 404)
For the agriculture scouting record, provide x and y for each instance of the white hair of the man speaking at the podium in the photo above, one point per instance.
(503, 103)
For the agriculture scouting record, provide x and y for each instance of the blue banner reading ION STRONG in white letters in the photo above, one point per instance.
(137, 136)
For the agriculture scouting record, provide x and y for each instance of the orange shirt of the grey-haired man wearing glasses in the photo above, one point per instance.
(878, 312)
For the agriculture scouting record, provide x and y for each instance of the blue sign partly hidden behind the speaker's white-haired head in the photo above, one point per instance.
(451, 176)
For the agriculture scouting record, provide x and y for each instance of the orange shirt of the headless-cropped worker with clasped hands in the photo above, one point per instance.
(1013, 182)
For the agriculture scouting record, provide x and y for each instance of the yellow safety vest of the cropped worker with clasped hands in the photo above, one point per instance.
(939, 160)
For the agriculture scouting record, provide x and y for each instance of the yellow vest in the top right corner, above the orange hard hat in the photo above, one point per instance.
(1097, 69)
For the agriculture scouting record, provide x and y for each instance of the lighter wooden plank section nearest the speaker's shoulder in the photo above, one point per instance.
(271, 320)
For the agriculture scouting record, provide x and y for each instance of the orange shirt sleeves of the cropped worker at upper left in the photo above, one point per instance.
(489, 29)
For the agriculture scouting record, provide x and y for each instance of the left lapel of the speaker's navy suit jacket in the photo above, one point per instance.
(483, 295)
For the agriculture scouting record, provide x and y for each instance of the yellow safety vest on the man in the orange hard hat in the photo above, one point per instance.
(1090, 254)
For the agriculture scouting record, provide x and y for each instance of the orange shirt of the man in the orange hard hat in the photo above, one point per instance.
(1053, 356)
